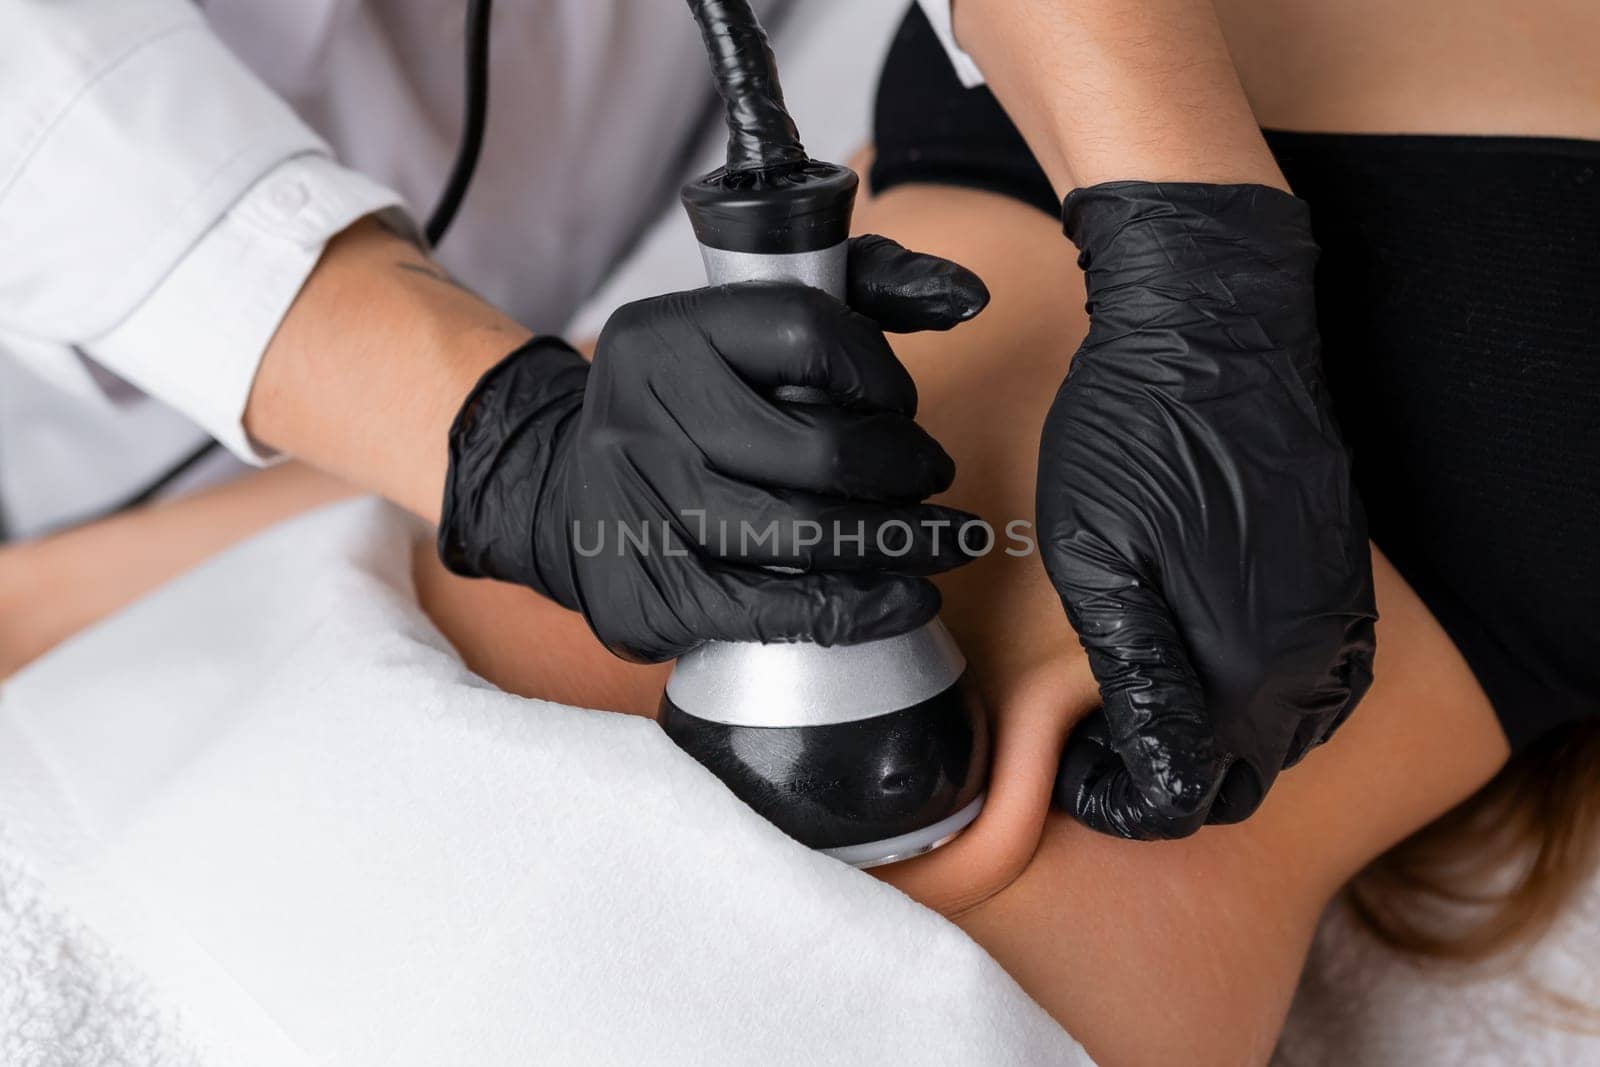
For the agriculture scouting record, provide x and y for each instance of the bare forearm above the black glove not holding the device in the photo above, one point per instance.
(1108, 90)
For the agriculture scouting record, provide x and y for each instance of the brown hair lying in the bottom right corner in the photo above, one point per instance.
(1494, 874)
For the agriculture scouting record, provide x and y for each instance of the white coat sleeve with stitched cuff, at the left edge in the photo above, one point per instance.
(159, 206)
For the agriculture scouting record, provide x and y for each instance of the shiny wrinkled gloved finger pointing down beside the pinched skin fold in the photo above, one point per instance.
(1156, 708)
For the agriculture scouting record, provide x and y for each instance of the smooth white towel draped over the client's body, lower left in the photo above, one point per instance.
(278, 793)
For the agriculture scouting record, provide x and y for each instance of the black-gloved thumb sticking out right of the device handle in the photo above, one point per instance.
(908, 292)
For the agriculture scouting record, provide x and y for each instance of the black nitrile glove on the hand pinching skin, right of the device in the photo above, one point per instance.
(1196, 510)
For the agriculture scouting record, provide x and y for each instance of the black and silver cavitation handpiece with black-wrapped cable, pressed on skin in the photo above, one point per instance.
(870, 753)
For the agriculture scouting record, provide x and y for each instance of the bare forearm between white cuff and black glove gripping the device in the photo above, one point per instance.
(372, 364)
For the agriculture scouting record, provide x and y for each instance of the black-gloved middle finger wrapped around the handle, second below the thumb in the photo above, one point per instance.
(834, 452)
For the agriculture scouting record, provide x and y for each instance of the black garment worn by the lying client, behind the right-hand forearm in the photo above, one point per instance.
(1458, 297)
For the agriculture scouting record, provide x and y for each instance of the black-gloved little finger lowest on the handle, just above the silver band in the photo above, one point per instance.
(828, 609)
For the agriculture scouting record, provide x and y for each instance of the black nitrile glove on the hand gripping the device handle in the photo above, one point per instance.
(650, 490)
